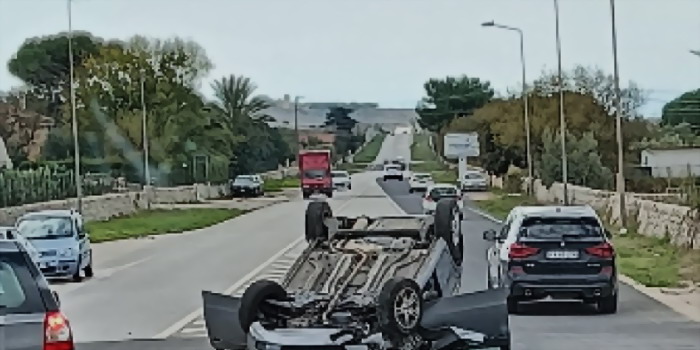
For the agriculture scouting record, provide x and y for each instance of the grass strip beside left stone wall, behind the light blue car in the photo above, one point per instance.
(157, 222)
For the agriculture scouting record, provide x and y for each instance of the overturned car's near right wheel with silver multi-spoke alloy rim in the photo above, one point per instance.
(394, 322)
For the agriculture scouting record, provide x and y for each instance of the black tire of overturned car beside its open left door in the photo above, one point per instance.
(254, 298)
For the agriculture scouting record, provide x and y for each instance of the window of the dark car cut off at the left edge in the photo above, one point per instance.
(19, 292)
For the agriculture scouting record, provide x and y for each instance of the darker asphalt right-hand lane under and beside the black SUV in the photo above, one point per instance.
(641, 322)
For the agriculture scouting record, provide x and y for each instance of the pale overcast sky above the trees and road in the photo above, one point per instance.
(383, 50)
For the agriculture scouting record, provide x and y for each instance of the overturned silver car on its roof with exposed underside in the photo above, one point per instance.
(365, 283)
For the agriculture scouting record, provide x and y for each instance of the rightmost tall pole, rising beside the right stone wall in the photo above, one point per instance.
(618, 112)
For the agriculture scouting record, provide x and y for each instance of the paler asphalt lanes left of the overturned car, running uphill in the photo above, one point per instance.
(148, 289)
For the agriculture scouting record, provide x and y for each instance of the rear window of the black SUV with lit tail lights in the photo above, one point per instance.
(542, 227)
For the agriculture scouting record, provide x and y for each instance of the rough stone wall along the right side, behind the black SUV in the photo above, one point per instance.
(681, 224)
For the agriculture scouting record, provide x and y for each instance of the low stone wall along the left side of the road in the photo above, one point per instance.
(98, 208)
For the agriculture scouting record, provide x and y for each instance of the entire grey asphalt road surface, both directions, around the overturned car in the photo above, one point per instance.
(149, 288)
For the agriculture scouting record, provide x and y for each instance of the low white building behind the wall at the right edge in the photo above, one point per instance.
(673, 163)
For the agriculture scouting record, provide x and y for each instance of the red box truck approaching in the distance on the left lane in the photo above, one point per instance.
(315, 172)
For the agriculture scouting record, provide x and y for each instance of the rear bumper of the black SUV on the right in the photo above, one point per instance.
(562, 286)
